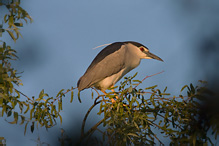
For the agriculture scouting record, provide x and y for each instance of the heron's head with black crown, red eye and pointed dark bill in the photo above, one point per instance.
(142, 51)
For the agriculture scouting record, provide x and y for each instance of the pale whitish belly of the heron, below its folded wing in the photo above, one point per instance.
(111, 80)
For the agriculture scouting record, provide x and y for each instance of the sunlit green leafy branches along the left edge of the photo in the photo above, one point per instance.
(43, 110)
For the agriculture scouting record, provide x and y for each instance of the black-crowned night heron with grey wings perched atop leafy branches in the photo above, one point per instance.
(112, 63)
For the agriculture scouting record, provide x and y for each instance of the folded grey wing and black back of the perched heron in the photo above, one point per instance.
(108, 62)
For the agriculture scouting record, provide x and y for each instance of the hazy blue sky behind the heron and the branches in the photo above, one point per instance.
(56, 50)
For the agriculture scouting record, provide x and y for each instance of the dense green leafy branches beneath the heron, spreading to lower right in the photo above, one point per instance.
(144, 116)
